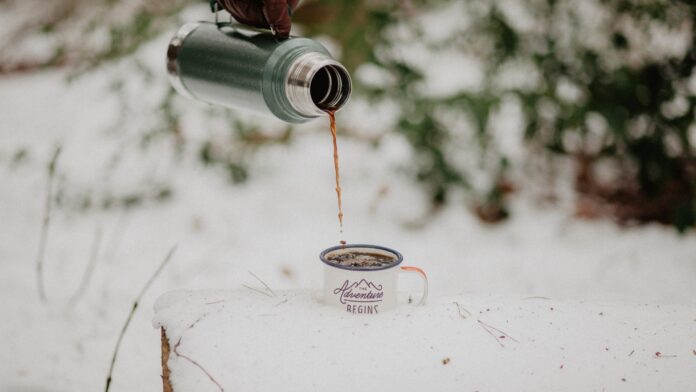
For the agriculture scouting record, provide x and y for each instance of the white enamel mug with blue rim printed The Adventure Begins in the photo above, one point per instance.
(362, 290)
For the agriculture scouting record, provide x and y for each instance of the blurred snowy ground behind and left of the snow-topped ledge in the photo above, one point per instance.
(275, 225)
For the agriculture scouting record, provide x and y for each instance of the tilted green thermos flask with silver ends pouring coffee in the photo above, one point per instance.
(295, 79)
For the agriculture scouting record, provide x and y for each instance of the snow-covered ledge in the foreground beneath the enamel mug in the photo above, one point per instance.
(286, 341)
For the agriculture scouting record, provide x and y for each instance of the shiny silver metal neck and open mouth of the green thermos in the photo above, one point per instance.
(316, 83)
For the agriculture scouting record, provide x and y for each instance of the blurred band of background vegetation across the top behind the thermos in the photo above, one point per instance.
(607, 86)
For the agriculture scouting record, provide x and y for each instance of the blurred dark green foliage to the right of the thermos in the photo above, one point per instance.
(608, 82)
